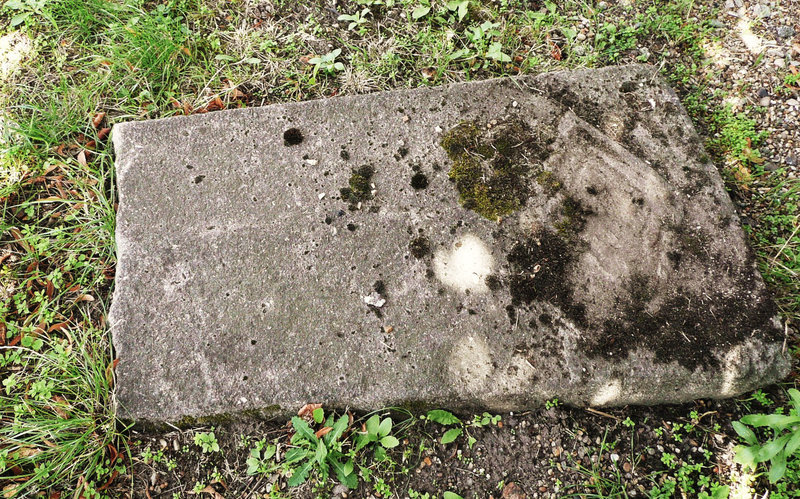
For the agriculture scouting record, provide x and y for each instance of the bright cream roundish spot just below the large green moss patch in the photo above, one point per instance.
(465, 266)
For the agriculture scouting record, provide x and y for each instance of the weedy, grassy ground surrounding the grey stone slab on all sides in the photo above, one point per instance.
(70, 69)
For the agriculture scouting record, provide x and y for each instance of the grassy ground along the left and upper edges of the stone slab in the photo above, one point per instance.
(143, 60)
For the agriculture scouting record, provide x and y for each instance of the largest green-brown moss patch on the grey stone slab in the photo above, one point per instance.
(492, 164)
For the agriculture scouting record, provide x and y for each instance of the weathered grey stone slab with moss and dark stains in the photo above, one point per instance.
(275, 256)
